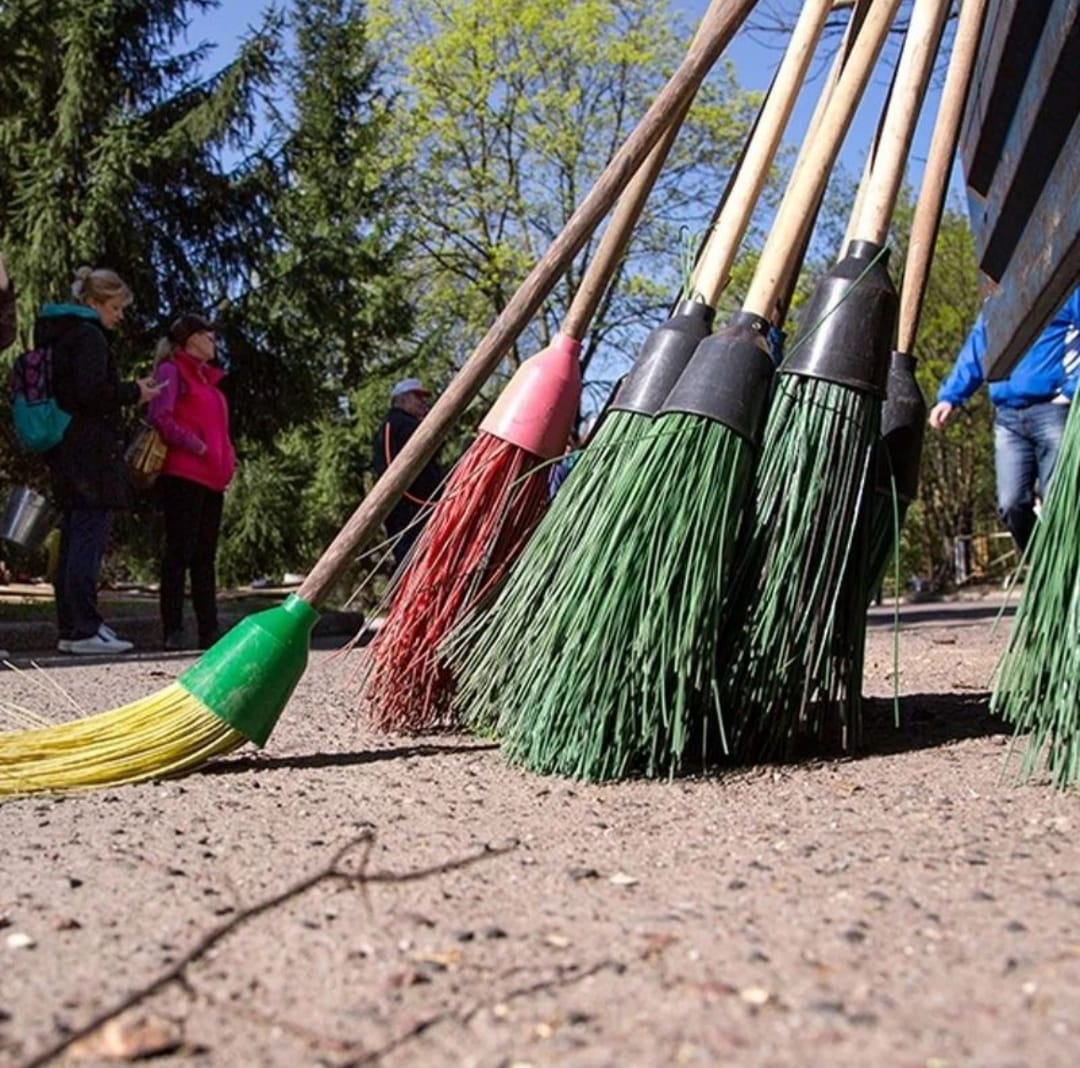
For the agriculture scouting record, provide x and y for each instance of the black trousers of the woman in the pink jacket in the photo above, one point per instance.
(193, 521)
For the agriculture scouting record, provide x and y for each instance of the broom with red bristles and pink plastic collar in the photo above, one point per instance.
(494, 498)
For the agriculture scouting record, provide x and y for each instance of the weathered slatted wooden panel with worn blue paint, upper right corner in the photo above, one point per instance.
(1021, 147)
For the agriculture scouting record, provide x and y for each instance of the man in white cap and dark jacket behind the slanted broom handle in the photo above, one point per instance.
(409, 405)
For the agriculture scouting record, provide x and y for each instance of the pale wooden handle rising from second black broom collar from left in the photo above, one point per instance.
(813, 169)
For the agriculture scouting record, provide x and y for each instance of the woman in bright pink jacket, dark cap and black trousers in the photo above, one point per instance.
(193, 416)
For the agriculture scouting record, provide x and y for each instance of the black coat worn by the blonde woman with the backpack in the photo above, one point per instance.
(88, 467)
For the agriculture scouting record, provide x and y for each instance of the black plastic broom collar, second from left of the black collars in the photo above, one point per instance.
(730, 378)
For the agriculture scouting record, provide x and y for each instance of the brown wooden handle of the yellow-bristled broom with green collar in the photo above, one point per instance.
(720, 24)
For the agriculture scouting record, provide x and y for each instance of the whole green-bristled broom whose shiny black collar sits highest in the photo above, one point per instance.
(788, 650)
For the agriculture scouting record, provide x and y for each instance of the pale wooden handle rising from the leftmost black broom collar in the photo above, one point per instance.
(714, 267)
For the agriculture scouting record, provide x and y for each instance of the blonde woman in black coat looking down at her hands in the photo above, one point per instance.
(89, 476)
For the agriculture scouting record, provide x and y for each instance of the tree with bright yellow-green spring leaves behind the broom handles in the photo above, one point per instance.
(508, 114)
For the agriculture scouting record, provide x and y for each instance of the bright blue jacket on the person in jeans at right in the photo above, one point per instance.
(1048, 371)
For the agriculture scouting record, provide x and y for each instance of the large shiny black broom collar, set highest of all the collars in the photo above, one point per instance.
(848, 328)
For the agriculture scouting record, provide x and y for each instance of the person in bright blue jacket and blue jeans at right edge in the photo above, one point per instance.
(1031, 408)
